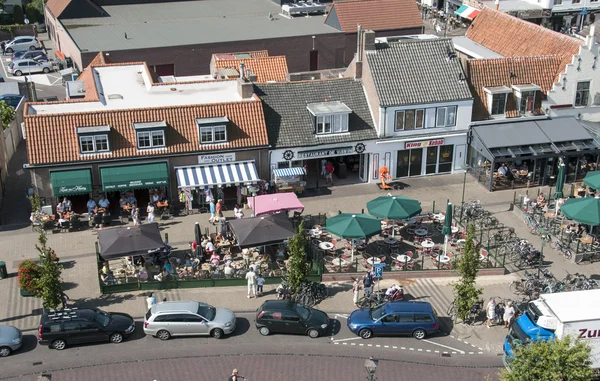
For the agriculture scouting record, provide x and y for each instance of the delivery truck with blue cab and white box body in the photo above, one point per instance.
(575, 313)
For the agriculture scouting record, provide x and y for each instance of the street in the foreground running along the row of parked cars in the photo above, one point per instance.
(339, 356)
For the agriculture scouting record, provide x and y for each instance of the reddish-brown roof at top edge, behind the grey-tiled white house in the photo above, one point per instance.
(375, 15)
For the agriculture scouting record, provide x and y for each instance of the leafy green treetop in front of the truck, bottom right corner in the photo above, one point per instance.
(554, 360)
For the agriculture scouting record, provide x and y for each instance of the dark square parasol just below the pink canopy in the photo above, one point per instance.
(262, 231)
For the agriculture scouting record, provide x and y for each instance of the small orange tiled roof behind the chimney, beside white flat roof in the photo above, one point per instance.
(266, 68)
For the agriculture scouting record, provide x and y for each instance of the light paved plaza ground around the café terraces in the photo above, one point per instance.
(76, 252)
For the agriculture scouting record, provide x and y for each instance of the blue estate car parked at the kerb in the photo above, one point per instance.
(418, 319)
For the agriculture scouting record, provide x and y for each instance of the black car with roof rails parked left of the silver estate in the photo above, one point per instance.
(74, 326)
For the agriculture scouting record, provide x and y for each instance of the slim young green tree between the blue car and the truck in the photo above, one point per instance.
(465, 292)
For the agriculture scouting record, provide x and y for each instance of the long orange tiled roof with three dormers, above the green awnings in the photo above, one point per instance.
(53, 139)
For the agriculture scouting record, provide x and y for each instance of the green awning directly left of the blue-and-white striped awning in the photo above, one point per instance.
(134, 176)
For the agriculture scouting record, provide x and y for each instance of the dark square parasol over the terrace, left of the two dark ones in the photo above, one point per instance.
(132, 240)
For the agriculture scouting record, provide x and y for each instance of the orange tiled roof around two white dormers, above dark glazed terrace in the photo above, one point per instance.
(507, 72)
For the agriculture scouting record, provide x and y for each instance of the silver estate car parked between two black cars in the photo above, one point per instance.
(187, 318)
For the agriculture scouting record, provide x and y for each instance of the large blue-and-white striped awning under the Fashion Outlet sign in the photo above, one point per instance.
(225, 174)
